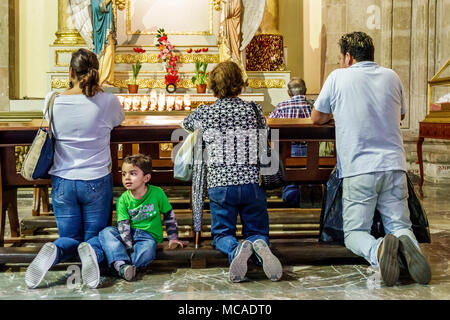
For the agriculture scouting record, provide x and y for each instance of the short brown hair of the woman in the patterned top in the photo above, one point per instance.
(225, 80)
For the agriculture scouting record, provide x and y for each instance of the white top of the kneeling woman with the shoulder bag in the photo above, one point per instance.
(82, 129)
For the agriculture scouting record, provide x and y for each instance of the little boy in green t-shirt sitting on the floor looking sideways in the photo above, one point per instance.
(132, 245)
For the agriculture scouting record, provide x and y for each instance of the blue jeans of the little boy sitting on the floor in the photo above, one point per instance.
(144, 247)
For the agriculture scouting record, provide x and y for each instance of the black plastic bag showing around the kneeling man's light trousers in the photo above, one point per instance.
(331, 223)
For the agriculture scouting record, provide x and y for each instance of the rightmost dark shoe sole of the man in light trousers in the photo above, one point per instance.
(417, 264)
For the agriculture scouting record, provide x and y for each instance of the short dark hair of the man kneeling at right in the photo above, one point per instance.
(359, 45)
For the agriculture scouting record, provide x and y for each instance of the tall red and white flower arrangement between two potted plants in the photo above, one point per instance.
(167, 55)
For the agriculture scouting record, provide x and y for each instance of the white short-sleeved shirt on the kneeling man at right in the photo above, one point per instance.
(367, 103)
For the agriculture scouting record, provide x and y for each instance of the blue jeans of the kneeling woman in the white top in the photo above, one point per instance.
(82, 209)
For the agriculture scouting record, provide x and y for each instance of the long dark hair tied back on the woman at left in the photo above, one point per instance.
(85, 65)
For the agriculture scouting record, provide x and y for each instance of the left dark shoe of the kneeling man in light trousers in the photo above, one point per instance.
(389, 267)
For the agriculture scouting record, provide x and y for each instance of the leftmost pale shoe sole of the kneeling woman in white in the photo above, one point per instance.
(40, 265)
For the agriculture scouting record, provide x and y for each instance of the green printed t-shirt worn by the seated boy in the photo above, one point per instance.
(145, 213)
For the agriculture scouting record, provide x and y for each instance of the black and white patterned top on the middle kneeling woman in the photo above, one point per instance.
(229, 130)
